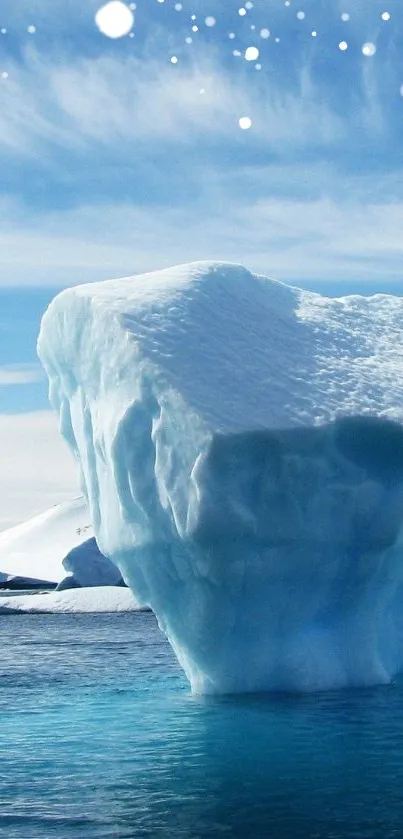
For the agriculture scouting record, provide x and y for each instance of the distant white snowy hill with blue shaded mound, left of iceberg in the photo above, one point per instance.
(56, 543)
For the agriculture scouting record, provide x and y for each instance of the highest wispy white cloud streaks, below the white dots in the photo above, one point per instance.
(106, 101)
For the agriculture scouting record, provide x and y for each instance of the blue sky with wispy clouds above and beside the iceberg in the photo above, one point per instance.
(115, 160)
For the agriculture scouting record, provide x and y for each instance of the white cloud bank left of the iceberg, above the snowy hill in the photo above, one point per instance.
(37, 470)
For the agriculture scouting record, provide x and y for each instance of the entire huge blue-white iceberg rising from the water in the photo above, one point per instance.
(241, 448)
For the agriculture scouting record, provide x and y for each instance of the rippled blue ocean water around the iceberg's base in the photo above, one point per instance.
(101, 738)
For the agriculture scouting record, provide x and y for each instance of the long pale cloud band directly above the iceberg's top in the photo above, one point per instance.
(293, 240)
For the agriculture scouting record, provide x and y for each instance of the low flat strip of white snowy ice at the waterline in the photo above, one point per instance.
(79, 600)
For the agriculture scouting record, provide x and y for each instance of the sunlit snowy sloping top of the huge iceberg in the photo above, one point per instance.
(286, 356)
